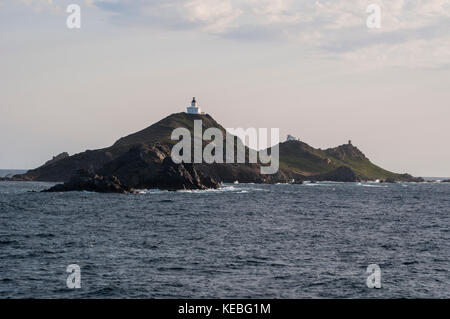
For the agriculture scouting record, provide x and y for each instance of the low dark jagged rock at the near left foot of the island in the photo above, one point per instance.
(86, 180)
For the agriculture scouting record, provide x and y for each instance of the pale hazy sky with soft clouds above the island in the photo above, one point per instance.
(314, 69)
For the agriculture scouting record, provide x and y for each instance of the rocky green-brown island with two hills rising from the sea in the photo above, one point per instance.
(141, 160)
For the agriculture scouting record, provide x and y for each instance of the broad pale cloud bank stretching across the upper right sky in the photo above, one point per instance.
(330, 28)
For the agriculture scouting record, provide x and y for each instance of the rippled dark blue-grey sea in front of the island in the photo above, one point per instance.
(240, 241)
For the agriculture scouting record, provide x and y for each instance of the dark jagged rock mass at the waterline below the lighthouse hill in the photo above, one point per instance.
(141, 167)
